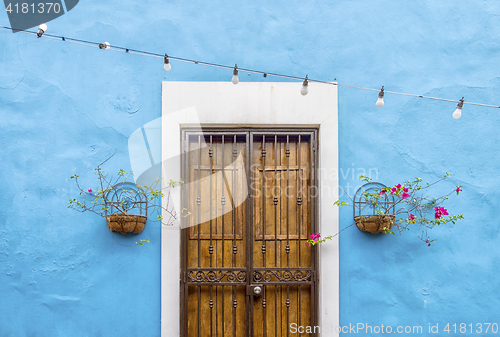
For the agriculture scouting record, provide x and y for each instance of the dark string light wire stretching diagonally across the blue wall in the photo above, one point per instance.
(252, 71)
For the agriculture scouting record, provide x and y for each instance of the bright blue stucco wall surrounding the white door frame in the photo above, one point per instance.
(64, 108)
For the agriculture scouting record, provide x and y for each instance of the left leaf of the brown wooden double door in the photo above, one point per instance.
(216, 251)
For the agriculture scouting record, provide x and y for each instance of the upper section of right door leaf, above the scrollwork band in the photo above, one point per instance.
(282, 174)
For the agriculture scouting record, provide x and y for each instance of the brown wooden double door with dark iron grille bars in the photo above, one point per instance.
(246, 267)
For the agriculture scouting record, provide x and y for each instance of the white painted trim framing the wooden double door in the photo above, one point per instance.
(252, 104)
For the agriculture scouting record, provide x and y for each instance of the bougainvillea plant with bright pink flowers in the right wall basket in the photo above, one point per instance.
(407, 207)
